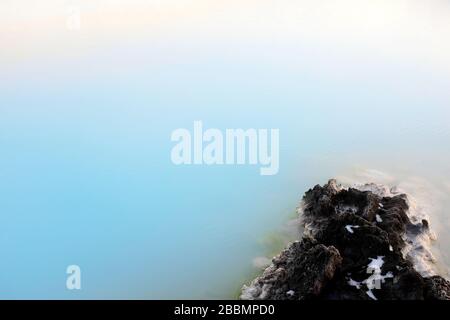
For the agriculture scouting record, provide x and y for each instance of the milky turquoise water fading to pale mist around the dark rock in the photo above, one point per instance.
(86, 117)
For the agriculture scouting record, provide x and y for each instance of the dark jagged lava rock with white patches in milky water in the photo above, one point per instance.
(352, 248)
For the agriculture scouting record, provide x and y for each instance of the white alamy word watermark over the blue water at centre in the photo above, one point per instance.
(230, 147)
